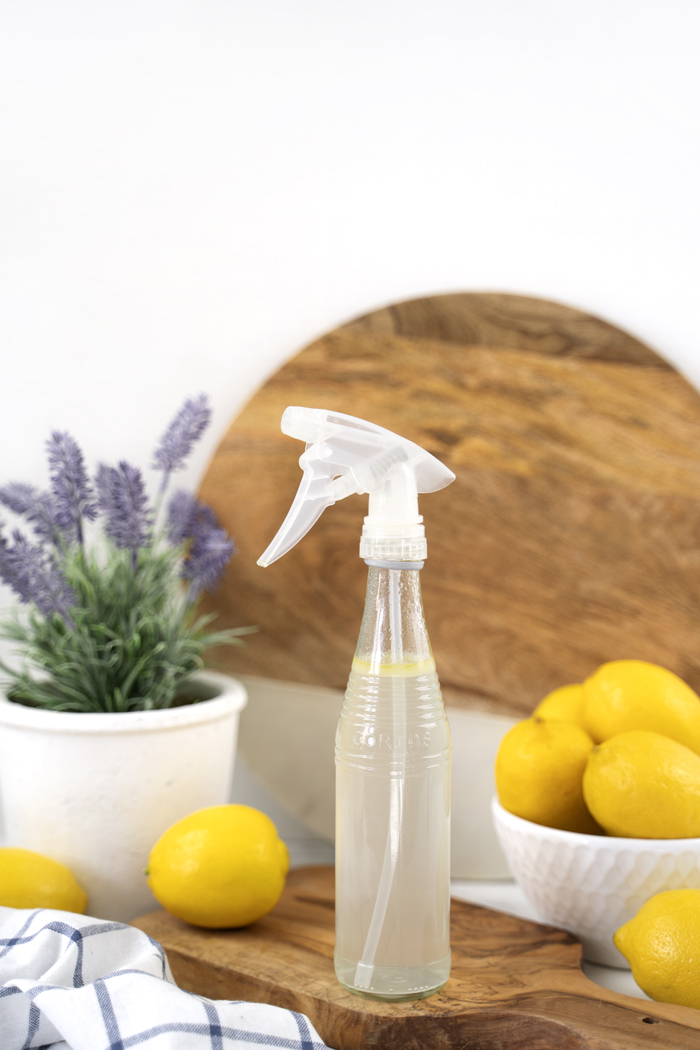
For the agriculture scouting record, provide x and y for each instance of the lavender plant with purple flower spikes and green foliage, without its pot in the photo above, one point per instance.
(112, 624)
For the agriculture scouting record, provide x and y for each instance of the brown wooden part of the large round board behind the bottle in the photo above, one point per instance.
(570, 537)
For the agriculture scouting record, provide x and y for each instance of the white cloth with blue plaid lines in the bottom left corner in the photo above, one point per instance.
(70, 982)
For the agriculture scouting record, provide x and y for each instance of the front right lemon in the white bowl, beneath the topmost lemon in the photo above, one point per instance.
(645, 786)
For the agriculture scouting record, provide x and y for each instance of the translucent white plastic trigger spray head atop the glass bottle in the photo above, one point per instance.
(346, 455)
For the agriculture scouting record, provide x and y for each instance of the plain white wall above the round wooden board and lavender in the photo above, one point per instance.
(192, 191)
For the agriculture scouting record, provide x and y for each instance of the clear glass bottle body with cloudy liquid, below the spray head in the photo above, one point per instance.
(393, 803)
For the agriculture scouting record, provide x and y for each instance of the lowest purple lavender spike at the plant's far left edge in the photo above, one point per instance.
(35, 577)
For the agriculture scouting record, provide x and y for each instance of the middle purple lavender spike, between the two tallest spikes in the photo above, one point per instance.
(123, 501)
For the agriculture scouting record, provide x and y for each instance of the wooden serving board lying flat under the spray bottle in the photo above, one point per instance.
(515, 985)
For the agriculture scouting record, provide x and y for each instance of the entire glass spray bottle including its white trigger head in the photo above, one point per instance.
(393, 746)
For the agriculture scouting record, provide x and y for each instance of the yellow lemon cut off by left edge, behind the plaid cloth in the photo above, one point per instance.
(30, 880)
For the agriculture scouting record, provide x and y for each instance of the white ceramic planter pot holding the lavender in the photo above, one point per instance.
(97, 791)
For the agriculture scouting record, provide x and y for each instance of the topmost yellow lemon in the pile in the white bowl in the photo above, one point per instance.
(628, 695)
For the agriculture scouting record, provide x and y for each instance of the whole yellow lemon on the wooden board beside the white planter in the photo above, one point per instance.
(221, 867)
